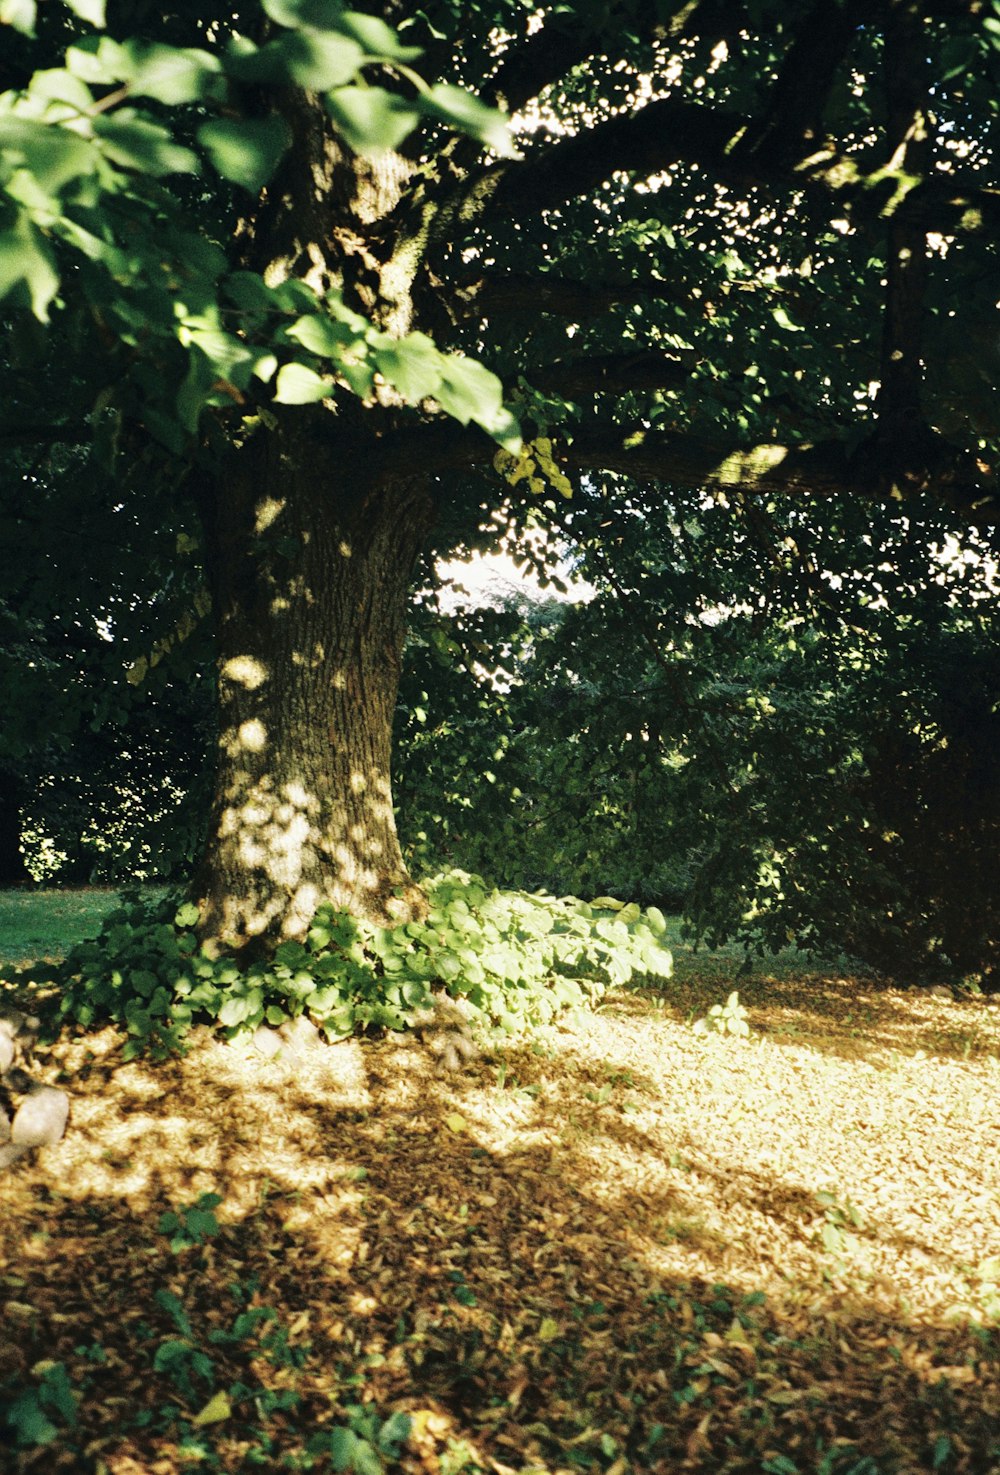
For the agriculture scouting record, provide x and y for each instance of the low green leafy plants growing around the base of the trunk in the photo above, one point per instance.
(515, 959)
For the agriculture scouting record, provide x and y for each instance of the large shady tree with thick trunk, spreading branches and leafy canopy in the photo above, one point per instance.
(722, 257)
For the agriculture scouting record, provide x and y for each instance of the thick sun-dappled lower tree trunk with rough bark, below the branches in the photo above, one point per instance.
(310, 563)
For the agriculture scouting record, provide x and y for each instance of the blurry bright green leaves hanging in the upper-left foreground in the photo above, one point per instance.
(86, 164)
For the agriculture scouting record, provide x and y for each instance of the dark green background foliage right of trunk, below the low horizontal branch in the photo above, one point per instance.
(779, 721)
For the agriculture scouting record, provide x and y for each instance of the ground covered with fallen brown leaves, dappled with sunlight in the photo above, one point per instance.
(604, 1253)
